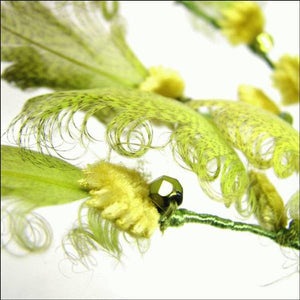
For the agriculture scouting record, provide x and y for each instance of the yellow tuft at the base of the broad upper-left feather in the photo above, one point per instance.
(165, 82)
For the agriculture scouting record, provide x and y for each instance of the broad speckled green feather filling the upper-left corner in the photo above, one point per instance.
(65, 45)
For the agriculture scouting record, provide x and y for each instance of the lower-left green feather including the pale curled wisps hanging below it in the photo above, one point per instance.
(29, 182)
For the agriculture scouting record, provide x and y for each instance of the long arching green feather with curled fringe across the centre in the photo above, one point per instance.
(195, 139)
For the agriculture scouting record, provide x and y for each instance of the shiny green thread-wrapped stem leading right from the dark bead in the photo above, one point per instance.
(285, 237)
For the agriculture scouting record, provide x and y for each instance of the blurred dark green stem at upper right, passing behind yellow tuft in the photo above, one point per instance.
(200, 13)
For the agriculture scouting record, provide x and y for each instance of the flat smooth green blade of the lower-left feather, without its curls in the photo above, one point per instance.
(38, 179)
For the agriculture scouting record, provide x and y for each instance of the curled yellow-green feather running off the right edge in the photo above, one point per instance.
(265, 139)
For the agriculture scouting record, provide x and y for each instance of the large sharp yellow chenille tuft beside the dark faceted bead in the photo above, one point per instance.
(122, 196)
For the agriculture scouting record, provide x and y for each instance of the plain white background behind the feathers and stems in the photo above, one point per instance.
(194, 261)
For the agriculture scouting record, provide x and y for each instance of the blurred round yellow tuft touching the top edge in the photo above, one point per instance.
(242, 22)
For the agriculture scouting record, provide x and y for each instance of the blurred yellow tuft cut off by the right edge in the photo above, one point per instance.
(286, 78)
